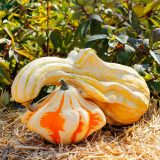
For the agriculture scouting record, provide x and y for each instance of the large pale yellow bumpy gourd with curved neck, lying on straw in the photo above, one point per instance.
(118, 90)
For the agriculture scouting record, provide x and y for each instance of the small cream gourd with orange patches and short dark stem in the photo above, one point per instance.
(65, 116)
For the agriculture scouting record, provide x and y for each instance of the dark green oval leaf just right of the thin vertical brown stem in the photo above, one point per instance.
(56, 39)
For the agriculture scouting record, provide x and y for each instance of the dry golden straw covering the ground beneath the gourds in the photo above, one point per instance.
(140, 141)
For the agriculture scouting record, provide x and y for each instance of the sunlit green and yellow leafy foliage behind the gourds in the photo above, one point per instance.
(125, 32)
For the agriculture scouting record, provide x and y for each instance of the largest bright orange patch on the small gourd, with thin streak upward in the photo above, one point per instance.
(54, 122)
